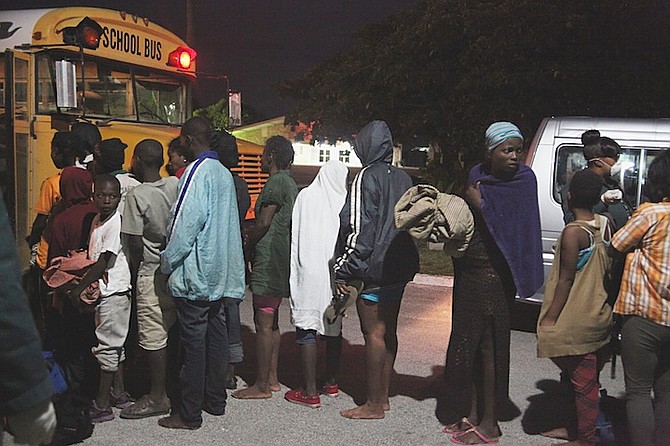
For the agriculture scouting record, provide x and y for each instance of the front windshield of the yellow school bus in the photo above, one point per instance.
(115, 91)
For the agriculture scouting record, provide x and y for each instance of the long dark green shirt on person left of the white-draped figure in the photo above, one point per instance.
(272, 255)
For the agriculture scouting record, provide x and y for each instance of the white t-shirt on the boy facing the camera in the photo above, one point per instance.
(106, 236)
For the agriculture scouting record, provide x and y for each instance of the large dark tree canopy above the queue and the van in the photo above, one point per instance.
(445, 69)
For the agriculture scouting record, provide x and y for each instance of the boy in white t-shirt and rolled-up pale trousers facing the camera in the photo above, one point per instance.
(112, 314)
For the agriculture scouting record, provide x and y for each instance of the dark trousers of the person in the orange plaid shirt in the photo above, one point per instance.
(645, 351)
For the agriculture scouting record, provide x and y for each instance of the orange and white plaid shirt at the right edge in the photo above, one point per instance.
(645, 287)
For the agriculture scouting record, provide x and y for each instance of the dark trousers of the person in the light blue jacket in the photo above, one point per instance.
(204, 341)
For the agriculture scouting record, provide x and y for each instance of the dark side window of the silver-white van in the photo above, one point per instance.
(634, 163)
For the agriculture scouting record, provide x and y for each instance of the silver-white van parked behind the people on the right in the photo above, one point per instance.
(556, 153)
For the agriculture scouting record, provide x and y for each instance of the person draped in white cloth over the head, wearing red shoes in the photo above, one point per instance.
(314, 229)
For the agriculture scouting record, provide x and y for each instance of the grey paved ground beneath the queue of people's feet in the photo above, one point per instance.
(425, 323)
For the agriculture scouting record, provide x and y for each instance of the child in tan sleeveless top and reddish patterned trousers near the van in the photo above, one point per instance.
(575, 318)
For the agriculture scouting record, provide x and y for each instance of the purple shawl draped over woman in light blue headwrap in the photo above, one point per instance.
(512, 215)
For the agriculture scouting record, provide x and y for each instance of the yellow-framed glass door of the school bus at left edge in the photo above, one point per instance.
(14, 145)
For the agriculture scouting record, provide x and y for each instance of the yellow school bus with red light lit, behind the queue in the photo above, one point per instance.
(124, 73)
